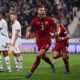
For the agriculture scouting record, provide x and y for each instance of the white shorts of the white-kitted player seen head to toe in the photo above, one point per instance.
(17, 48)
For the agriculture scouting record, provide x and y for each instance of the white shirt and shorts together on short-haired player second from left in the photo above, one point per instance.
(16, 26)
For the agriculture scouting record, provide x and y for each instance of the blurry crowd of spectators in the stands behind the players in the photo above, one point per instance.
(26, 10)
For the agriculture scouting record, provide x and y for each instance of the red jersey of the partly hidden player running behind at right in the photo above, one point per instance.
(63, 33)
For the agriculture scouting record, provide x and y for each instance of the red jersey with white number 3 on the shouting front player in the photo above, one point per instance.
(43, 28)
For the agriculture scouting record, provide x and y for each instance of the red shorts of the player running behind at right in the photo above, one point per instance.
(59, 48)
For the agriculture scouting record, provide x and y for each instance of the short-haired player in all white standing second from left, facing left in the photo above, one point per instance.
(16, 41)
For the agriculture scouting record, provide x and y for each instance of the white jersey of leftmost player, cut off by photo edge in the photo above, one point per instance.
(3, 28)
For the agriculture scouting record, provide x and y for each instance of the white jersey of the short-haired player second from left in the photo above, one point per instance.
(16, 26)
